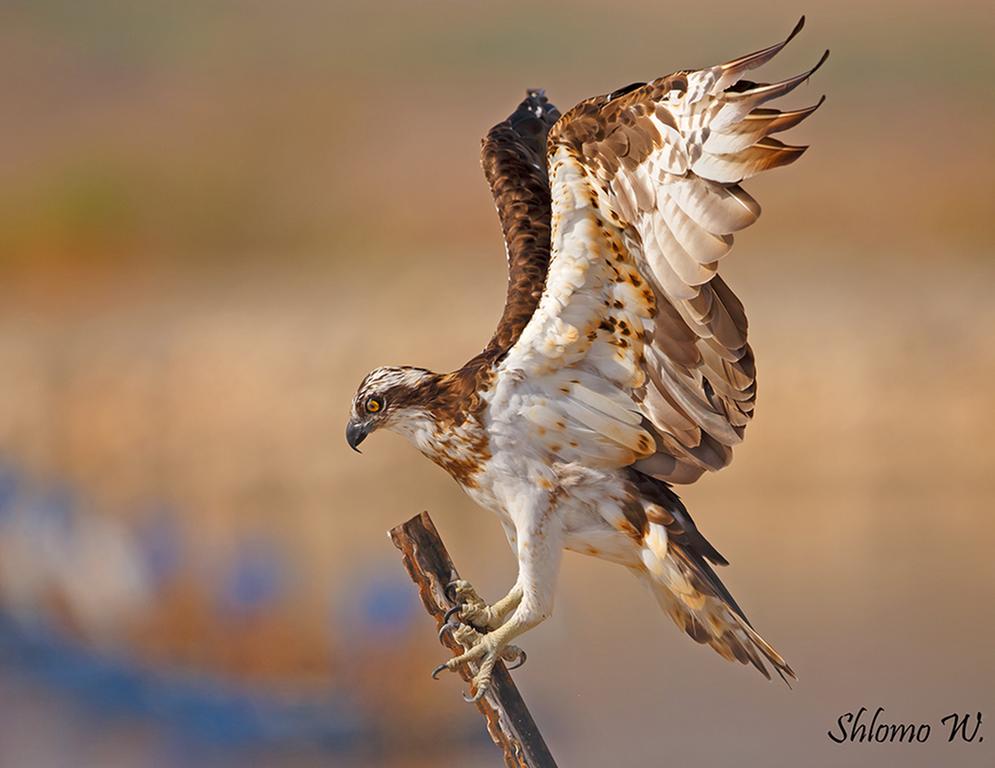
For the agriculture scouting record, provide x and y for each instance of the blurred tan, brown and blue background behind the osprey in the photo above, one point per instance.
(216, 217)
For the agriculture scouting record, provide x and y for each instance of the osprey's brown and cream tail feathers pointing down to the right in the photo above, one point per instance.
(675, 558)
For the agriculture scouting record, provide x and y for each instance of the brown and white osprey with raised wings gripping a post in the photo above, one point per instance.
(620, 365)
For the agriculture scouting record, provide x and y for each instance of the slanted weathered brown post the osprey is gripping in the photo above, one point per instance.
(508, 720)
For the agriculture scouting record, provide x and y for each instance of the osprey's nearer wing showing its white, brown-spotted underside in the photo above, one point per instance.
(637, 352)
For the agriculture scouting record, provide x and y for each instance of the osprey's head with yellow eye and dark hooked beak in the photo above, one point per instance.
(394, 398)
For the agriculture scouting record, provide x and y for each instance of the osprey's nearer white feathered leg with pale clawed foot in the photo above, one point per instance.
(539, 552)
